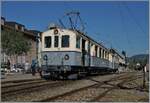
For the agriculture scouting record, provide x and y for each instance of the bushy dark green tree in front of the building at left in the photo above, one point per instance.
(13, 43)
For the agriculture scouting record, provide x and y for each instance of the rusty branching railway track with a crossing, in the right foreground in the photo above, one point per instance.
(123, 78)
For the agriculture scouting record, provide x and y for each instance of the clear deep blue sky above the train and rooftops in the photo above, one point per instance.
(122, 25)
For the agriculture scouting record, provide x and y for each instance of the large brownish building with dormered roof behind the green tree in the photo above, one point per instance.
(30, 35)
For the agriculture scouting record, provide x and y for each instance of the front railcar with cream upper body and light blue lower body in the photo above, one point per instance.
(68, 52)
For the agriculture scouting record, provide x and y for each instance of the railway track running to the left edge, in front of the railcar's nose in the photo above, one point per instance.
(27, 87)
